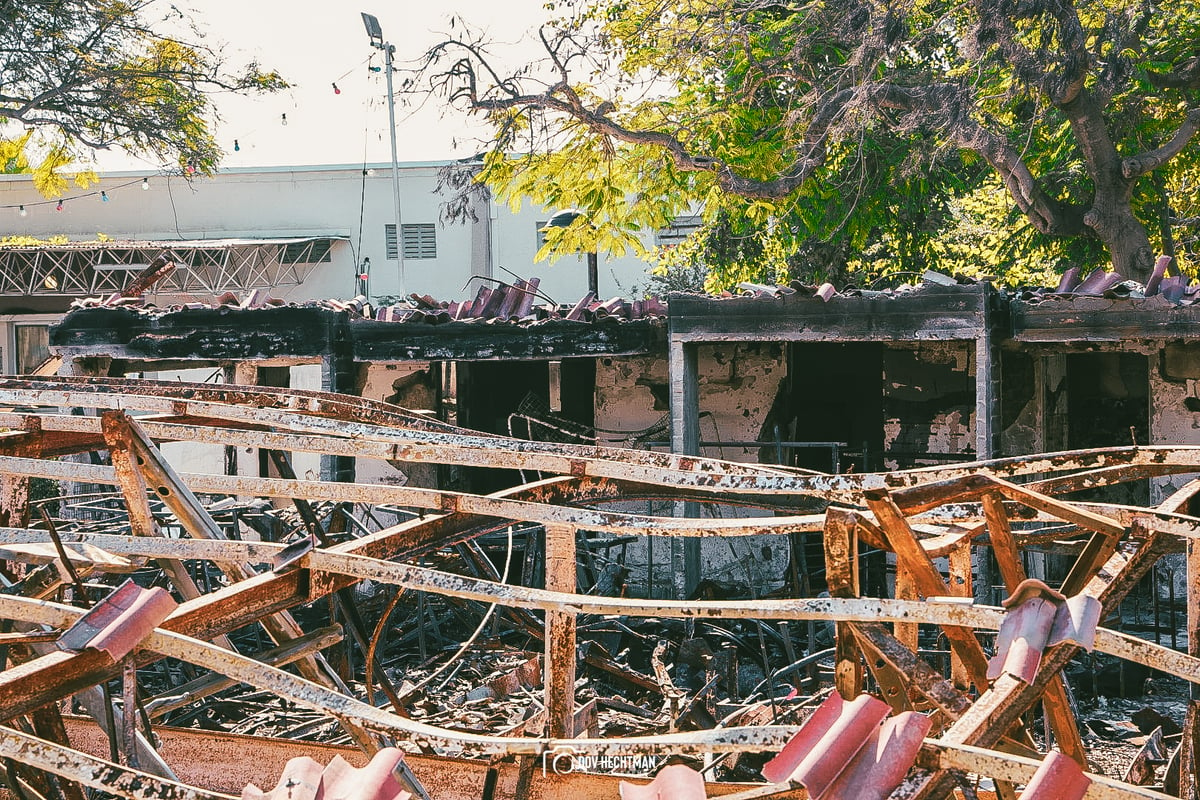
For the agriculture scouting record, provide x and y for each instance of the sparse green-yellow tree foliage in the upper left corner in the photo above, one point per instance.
(87, 75)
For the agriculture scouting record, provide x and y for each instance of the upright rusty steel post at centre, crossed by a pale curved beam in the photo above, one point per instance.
(560, 682)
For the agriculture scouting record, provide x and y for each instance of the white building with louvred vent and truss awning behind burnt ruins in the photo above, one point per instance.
(301, 233)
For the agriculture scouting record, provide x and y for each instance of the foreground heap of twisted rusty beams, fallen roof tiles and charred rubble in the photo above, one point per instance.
(497, 629)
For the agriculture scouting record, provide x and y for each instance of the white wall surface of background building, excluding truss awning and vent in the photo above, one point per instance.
(286, 202)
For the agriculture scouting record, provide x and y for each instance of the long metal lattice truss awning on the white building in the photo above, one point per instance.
(203, 267)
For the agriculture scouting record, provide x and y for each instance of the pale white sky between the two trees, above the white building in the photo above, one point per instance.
(317, 44)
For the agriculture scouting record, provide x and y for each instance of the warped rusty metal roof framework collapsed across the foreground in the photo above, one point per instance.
(977, 717)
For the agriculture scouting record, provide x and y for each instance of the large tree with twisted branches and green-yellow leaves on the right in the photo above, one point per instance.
(855, 141)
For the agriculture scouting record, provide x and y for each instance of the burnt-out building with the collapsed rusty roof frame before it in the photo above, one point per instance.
(875, 596)
